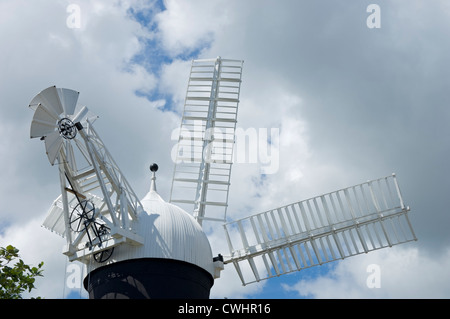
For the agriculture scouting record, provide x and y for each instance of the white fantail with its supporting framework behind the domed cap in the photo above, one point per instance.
(96, 203)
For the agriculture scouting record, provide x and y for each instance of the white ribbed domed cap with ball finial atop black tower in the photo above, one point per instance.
(170, 232)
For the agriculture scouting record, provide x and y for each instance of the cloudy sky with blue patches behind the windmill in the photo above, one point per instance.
(355, 96)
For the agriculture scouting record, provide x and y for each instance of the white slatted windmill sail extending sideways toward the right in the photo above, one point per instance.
(334, 226)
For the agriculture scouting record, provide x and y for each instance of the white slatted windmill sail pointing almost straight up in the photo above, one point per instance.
(205, 147)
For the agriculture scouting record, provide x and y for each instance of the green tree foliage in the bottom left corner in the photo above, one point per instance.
(18, 278)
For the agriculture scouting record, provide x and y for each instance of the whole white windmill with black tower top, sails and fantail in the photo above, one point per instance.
(150, 248)
